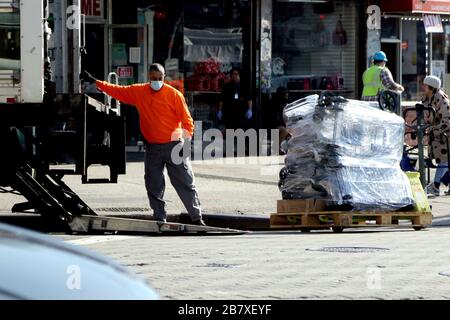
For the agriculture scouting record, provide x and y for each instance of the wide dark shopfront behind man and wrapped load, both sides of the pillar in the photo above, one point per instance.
(300, 46)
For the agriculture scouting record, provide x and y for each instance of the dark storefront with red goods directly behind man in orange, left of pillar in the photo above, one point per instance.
(197, 41)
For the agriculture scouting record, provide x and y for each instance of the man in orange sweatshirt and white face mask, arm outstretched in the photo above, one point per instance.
(164, 116)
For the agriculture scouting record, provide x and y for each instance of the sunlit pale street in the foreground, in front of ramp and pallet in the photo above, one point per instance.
(285, 265)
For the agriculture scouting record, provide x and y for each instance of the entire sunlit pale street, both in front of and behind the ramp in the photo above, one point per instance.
(376, 263)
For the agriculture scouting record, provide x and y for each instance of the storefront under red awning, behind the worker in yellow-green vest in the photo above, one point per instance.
(413, 52)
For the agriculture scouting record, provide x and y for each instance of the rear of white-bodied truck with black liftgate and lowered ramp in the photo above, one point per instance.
(46, 122)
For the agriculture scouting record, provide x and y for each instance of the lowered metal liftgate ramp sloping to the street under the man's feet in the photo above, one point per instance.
(54, 200)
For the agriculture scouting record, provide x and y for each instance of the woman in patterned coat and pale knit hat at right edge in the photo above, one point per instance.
(440, 126)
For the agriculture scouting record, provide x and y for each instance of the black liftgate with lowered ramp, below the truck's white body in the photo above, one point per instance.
(69, 129)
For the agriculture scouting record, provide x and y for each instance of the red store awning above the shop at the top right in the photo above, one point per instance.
(416, 6)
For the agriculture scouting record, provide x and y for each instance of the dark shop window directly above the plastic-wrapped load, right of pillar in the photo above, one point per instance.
(314, 47)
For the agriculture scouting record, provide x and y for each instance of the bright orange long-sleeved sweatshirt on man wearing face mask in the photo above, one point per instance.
(163, 114)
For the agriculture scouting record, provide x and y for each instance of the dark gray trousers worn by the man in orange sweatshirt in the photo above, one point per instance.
(158, 156)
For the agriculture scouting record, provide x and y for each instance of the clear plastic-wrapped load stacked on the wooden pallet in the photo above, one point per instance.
(344, 151)
